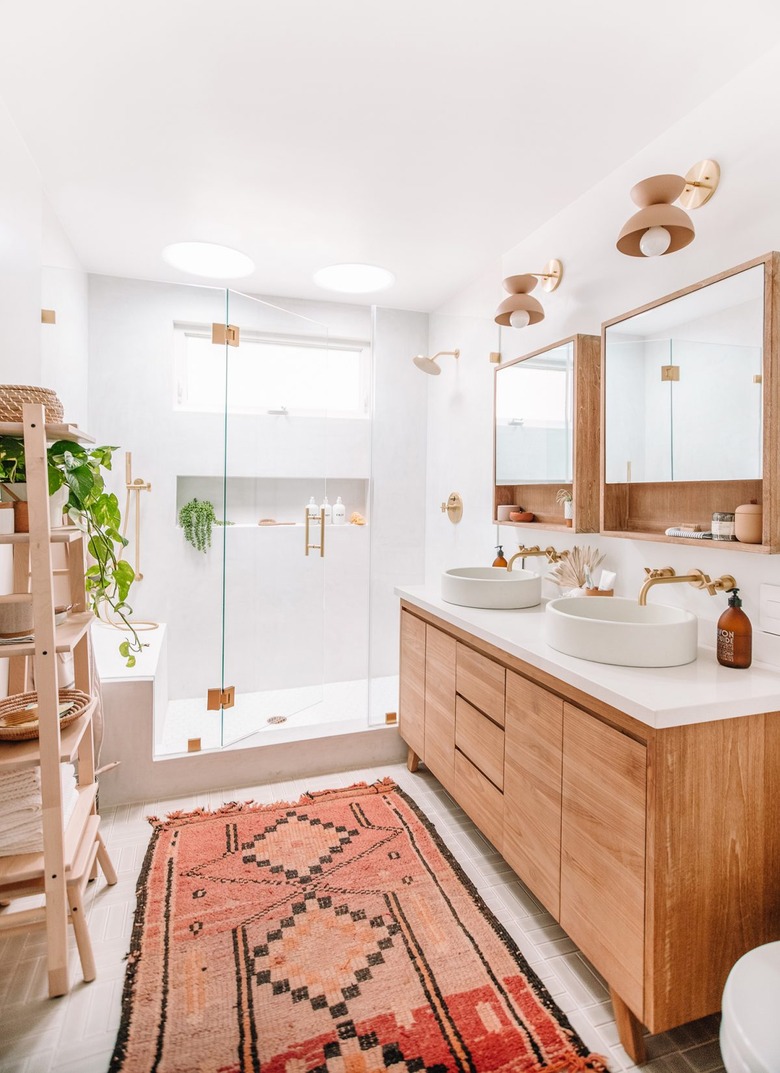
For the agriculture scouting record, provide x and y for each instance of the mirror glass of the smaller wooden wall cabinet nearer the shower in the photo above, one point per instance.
(534, 419)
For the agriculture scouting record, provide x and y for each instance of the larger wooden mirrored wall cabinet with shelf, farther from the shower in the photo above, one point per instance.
(690, 409)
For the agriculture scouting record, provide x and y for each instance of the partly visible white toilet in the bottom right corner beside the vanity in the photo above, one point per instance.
(750, 1028)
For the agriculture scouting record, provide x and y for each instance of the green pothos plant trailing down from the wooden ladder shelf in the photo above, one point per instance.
(96, 512)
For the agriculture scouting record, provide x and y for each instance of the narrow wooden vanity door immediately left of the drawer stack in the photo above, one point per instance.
(440, 704)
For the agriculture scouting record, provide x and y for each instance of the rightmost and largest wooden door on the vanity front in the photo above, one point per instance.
(604, 850)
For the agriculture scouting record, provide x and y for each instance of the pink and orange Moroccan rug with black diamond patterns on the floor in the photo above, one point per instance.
(335, 935)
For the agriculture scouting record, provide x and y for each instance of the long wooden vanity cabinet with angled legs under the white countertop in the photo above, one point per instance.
(657, 850)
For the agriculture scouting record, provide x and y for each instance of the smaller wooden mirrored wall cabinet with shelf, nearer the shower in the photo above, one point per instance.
(571, 439)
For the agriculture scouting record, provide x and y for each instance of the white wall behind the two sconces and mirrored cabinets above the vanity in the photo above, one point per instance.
(741, 128)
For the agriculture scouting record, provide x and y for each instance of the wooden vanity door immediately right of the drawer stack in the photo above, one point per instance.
(533, 788)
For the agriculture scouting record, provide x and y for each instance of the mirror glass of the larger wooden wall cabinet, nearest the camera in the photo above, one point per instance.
(683, 387)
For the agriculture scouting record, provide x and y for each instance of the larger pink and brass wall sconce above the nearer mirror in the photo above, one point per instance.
(660, 227)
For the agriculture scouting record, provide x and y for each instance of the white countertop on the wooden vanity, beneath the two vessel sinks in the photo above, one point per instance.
(660, 697)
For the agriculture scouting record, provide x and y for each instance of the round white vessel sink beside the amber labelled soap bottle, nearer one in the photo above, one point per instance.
(621, 631)
